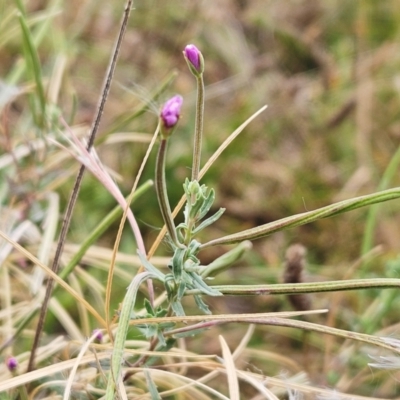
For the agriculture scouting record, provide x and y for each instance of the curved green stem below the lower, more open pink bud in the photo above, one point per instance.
(161, 189)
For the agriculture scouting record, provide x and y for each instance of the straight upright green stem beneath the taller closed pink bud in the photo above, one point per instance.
(198, 132)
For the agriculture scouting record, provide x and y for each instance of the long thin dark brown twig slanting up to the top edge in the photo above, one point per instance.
(75, 190)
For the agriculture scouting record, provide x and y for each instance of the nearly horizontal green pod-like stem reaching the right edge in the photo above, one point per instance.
(299, 288)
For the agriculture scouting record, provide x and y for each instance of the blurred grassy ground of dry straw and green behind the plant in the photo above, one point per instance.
(328, 71)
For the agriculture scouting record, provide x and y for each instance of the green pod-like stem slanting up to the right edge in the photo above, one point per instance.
(307, 217)
